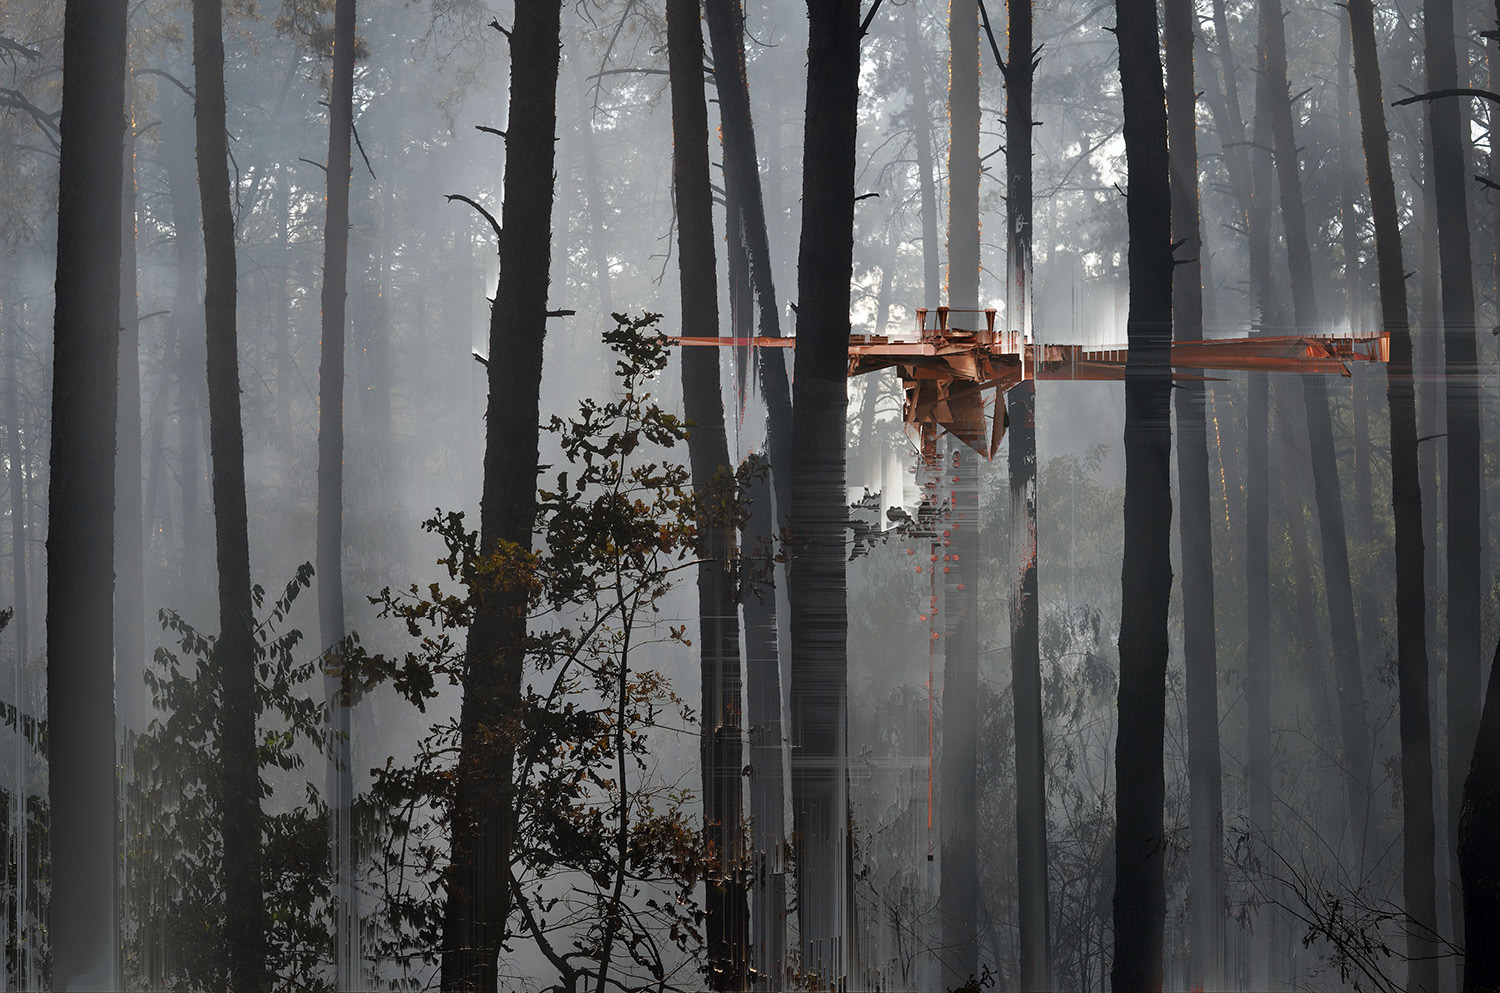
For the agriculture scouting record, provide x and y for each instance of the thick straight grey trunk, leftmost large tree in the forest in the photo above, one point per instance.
(82, 499)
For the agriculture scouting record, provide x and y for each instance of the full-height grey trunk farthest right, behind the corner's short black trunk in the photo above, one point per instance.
(1448, 127)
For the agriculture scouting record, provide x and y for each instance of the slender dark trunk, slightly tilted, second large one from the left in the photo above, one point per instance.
(245, 923)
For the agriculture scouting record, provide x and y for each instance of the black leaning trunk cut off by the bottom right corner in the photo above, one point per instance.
(1480, 847)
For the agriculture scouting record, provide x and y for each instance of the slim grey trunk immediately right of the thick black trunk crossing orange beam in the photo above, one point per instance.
(1195, 524)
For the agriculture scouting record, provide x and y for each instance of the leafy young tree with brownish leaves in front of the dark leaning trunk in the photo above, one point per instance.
(607, 862)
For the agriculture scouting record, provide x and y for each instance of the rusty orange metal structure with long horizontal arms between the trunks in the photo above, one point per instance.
(952, 374)
